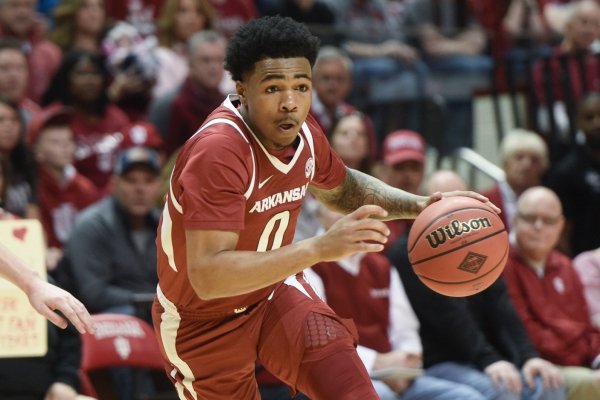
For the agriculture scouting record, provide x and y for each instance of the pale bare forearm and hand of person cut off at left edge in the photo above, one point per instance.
(43, 296)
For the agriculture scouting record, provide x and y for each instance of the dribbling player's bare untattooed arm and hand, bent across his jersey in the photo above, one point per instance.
(216, 269)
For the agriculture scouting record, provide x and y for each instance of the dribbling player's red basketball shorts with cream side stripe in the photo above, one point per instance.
(294, 329)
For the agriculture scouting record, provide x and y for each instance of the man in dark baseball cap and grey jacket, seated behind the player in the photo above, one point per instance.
(112, 248)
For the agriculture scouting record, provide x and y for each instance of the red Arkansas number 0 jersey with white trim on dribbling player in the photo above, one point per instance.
(225, 179)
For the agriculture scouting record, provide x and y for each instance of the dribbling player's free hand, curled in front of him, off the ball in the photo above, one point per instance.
(354, 233)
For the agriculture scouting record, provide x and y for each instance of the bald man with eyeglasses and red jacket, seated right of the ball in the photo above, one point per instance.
(548, 295)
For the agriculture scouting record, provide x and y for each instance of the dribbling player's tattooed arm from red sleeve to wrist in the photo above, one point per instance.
(359, 189)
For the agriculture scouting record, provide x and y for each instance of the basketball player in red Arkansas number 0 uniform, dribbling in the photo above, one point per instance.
(231, 291)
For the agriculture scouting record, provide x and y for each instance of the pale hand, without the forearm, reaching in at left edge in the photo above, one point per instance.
(47, 298)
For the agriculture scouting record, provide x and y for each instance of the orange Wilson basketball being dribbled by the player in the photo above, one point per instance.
(458, 246)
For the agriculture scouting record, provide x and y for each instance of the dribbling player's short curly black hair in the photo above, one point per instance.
(269, 37)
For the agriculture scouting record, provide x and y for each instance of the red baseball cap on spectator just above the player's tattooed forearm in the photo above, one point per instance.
(403, 145)
